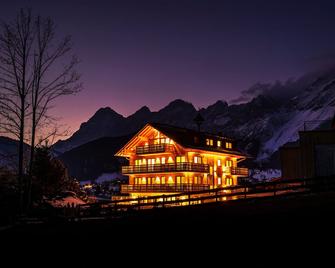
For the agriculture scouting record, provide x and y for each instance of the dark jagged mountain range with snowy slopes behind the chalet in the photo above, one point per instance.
(265, 117)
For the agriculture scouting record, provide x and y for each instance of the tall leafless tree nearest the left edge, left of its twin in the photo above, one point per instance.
(16, 42)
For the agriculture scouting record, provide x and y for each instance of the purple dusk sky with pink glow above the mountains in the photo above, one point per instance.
(136, 53)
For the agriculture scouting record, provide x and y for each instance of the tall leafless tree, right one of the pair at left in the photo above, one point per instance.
(48, 83)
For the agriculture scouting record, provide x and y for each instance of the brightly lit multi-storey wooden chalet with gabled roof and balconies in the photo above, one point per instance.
(164, 159)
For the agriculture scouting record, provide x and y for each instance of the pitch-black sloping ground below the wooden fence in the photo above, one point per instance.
(259, 230)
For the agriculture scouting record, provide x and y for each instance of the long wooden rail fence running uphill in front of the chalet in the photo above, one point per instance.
(251, 191)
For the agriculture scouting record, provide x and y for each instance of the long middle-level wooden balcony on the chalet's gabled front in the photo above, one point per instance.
(162, 168)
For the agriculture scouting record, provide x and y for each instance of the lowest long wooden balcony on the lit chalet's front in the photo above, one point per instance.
(163, 188)
